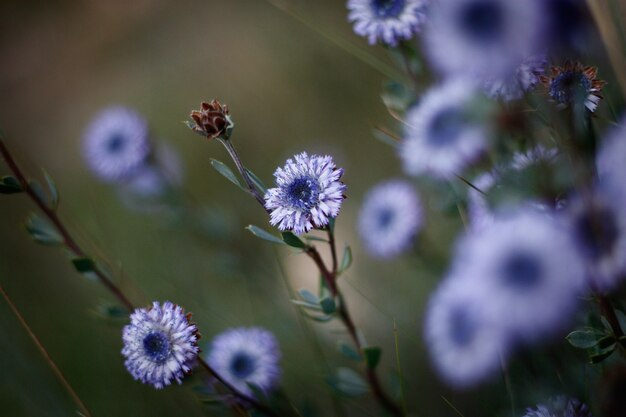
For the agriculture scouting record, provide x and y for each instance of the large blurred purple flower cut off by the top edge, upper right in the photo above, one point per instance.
(483, 38)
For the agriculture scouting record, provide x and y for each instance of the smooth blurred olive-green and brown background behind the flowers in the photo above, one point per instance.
(290, 88)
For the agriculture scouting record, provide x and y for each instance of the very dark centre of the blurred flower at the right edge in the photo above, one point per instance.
(597, 230)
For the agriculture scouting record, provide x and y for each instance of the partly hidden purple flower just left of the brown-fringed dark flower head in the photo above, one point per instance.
(522, 80)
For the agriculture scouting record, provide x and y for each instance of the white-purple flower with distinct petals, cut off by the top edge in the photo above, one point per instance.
(387, 21)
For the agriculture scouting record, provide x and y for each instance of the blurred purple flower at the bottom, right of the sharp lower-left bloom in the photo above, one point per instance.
(246, 356)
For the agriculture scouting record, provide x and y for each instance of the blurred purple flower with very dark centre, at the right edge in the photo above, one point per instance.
(598, 223)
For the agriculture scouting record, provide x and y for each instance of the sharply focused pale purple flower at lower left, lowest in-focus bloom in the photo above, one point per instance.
(160, 344)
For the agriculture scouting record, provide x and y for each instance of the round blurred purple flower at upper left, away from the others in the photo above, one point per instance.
(116, 143)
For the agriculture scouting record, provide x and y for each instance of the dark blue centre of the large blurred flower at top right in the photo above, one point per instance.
(482, 20)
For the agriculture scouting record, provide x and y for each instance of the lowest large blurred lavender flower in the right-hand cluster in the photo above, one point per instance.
(465, 343)
